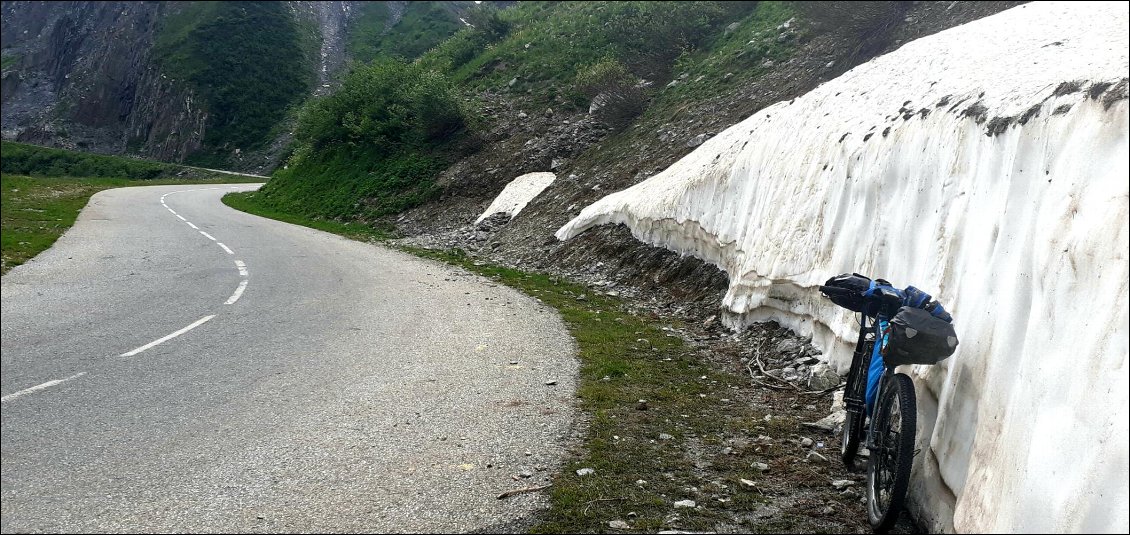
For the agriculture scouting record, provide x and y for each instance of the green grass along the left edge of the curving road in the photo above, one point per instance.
(38, 211)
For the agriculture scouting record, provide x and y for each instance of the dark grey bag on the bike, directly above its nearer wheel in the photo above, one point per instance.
(918, 338)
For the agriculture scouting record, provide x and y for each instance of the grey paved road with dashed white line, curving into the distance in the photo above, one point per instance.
(325, 386)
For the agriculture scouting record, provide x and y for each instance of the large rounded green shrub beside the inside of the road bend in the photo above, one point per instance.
(373, 148)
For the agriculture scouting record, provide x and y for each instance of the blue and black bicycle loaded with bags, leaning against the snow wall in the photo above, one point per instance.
(891, 434)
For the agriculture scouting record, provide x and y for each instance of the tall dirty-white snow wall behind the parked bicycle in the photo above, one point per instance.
(987, 165)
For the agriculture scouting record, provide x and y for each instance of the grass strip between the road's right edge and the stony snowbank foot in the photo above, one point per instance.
(664, 424)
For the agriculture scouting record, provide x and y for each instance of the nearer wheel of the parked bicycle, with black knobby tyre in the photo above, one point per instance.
(889, 473)
